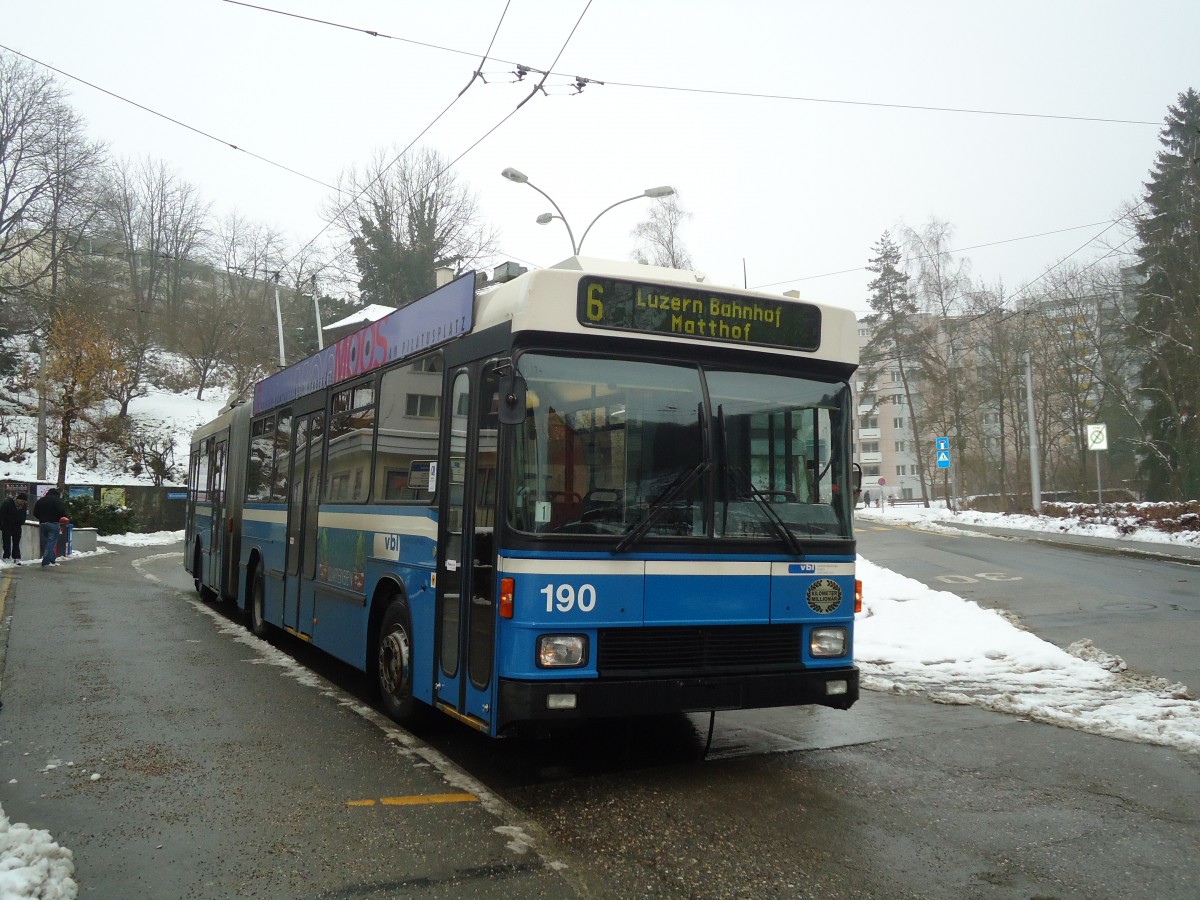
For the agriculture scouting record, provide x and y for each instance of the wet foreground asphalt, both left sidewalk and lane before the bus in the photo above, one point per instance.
(229, 771)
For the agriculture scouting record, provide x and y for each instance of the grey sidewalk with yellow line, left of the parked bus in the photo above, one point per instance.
(164, 748)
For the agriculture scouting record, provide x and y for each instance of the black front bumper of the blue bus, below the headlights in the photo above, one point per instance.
(580, 700)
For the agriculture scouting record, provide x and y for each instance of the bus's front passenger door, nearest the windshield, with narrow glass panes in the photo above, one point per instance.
(466, 574)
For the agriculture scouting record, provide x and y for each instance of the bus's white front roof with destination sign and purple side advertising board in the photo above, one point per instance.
(580, 296)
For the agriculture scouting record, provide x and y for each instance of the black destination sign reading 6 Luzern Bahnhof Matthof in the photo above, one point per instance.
(695, 313)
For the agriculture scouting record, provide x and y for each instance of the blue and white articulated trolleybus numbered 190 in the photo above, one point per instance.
(596, 490)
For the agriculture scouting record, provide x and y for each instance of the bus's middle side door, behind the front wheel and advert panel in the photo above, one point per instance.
(302, 549)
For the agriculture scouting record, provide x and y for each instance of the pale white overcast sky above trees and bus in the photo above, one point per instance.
(791, 188)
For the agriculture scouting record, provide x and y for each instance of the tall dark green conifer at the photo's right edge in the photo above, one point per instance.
(1168, 319)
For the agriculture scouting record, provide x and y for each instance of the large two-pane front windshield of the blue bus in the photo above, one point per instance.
(635, 449)
